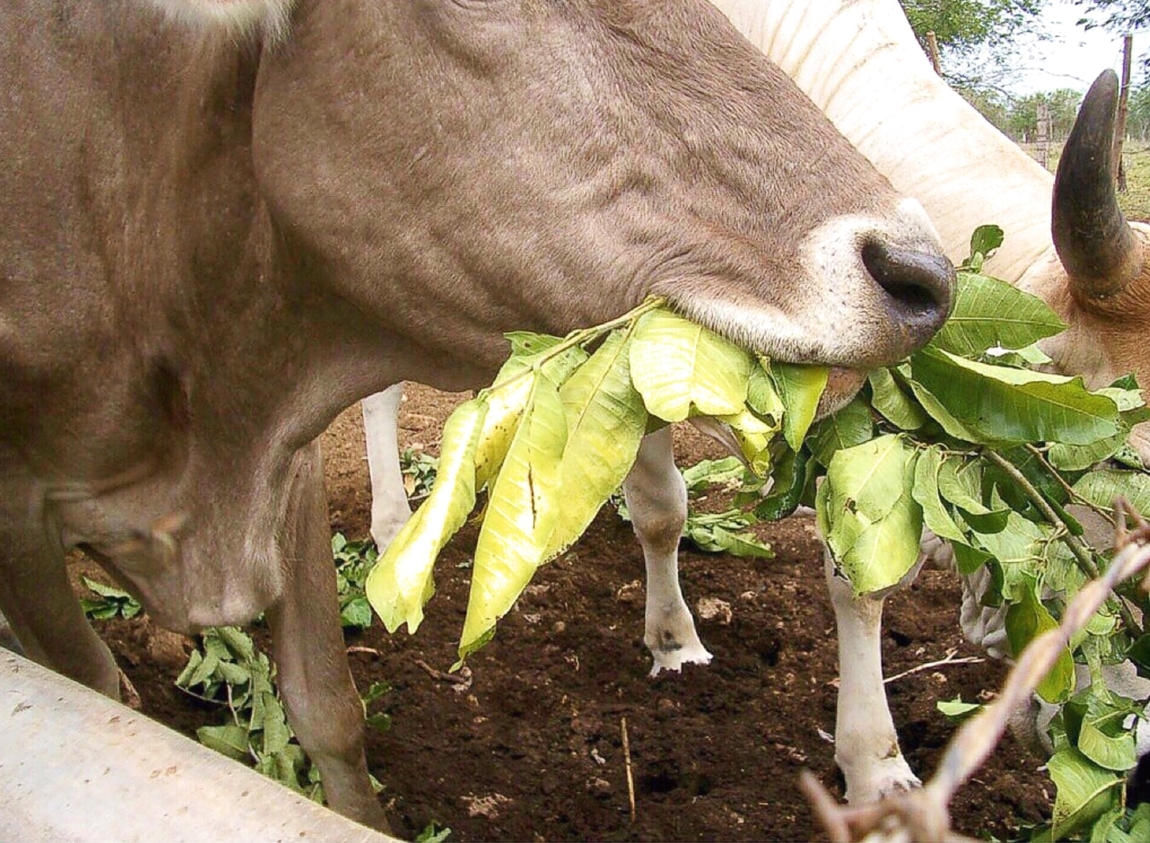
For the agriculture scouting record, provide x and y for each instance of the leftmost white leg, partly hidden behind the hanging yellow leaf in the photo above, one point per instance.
(390, 509)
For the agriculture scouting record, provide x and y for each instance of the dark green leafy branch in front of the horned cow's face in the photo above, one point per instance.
(991, 458)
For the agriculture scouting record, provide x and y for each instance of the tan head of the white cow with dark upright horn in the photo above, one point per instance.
(1100, 282)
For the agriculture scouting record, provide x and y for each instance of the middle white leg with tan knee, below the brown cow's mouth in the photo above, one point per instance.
(657, 499)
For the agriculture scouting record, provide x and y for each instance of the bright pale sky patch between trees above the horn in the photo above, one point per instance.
(1074, 57)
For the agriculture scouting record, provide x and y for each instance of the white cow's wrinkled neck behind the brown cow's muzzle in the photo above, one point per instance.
(860, 62)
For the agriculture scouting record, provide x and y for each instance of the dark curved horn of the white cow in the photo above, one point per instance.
(1094, 243)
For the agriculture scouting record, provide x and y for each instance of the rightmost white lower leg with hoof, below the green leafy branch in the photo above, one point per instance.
(867, 746)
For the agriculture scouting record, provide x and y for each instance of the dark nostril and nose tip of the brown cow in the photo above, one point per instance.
(921, 285)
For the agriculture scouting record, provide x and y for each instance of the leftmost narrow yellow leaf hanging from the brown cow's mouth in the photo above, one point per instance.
(401, 584)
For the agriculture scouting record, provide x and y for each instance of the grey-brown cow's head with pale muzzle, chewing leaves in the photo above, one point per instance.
(458, 168)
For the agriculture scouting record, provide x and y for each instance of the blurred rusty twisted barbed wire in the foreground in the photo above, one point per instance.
(923, 815)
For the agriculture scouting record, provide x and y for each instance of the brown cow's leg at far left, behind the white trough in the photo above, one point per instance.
(39, 602)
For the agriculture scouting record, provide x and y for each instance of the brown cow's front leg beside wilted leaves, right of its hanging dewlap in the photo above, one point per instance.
(311, 656)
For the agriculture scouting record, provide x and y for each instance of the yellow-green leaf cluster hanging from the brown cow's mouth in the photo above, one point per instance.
(557, 433)
